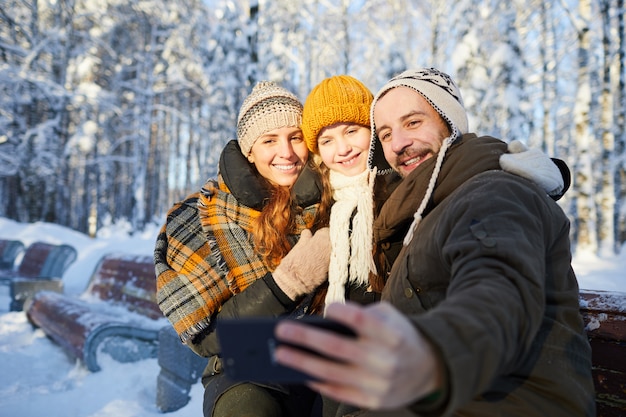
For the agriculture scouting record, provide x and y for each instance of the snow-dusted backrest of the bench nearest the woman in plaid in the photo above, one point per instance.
(127, 280)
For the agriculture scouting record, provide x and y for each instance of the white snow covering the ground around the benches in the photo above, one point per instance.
(38, 379)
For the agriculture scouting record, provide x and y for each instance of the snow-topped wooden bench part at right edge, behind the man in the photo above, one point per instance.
(604, 313)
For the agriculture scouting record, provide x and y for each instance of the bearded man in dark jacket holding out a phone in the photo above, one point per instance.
(480, 311)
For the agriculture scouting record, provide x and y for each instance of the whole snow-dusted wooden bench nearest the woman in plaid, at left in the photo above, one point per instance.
(116, 314)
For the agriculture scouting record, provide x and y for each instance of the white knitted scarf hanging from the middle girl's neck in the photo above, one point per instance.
(351, 250)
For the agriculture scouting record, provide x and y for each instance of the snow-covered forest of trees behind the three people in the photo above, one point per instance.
(112, 110)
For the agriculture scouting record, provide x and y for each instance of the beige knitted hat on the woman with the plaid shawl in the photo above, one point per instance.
(268, 107)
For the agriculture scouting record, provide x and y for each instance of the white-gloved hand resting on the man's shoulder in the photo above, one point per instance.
(533, 165)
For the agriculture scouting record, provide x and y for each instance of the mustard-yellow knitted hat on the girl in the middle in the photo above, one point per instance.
(338, 99)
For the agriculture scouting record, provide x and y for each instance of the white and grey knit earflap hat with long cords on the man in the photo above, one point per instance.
(444, 95)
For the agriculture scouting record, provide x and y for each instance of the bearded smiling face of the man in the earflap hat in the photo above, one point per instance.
(409, 128)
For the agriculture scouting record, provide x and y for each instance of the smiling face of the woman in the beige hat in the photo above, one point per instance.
(279, 155)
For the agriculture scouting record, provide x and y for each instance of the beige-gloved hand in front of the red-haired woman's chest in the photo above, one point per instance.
(306, 265)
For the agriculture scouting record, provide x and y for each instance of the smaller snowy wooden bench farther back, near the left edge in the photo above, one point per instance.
(41, 268)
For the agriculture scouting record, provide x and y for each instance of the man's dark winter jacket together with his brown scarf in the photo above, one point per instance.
(487, 278)
